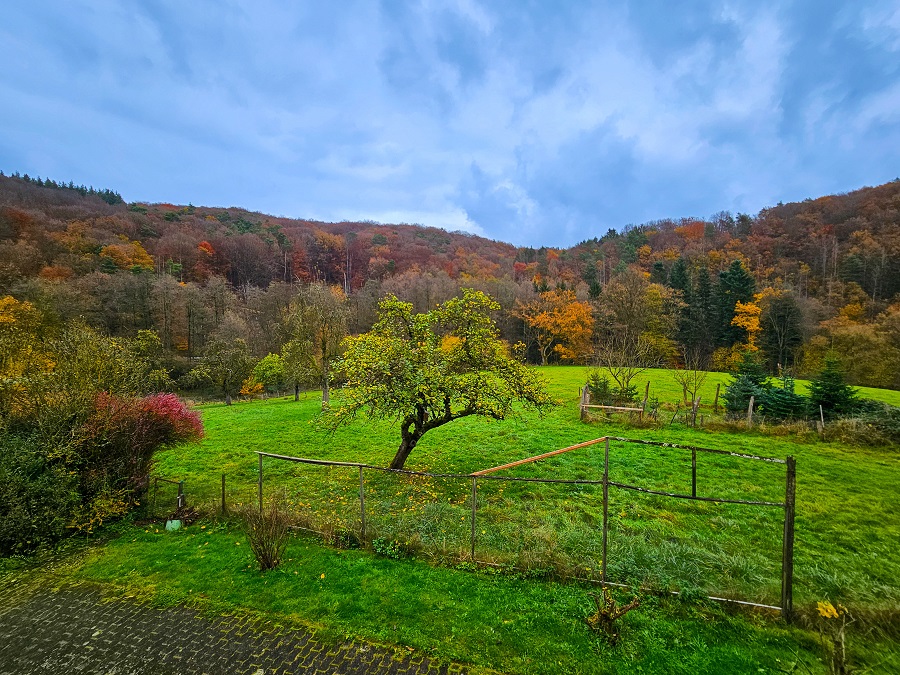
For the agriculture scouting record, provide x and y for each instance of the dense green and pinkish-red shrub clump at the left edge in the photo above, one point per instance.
(59, 474)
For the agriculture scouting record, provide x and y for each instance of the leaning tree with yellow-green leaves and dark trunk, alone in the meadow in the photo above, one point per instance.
(425, 370)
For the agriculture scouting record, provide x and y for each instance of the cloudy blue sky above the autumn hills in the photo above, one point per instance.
(536, 123)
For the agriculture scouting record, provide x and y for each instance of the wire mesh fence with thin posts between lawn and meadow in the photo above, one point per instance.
(656, 519)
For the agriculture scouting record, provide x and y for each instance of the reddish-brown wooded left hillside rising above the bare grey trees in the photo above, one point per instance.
(63, 231)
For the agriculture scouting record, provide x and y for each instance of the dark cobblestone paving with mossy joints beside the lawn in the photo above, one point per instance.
(74, 630)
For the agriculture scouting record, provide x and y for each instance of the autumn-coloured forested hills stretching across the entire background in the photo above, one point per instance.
(805, 277)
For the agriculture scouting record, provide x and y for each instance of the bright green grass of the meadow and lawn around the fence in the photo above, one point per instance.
(846, 547)
